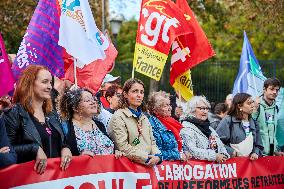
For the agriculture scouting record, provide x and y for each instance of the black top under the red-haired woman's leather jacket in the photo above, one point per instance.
(50, 138)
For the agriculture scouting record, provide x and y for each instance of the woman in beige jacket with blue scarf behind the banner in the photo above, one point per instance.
(130, 128)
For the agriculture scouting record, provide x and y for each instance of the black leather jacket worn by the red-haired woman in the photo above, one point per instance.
(23, 134)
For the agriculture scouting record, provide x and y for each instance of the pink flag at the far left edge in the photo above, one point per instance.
(6, 76)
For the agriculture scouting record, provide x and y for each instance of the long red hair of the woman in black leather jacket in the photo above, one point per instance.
(24, 92)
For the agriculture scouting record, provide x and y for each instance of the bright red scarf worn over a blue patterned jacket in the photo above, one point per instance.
(174, 126)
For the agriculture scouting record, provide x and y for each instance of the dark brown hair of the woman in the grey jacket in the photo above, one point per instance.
(238, 99)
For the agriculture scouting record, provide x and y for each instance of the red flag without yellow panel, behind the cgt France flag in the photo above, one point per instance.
(191, 49)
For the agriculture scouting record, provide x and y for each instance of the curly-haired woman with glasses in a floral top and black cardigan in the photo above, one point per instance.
(85, 135)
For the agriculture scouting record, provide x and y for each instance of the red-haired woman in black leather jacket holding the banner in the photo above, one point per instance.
(34, 131)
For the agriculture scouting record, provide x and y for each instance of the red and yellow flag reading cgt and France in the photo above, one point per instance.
(159, 24)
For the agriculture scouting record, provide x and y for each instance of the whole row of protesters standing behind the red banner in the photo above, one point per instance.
(42, 121)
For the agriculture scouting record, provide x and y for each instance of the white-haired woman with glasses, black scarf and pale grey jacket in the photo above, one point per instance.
(199, 139)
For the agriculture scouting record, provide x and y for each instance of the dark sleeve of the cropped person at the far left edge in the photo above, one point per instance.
(6, 158)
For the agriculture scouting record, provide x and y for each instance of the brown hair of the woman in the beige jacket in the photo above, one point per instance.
(126, 87)
